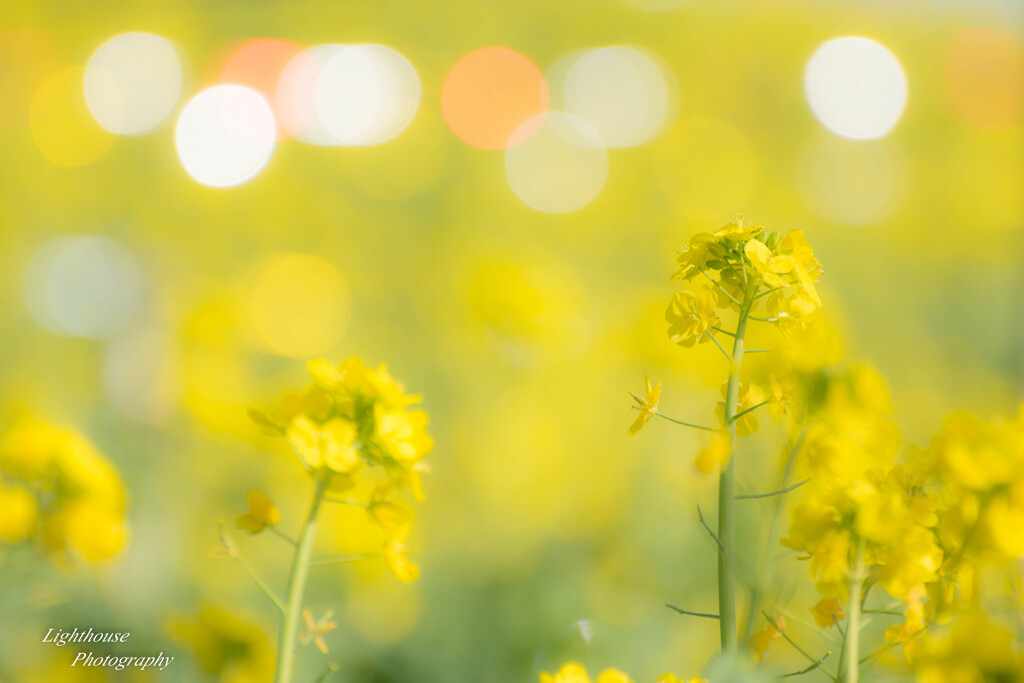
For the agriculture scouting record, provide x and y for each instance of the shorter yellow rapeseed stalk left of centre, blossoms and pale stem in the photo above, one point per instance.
(353, 432)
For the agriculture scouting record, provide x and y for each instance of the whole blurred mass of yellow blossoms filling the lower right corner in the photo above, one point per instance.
(925, 530)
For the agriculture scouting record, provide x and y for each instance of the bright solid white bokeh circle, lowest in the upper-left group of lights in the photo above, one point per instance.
(226, 136)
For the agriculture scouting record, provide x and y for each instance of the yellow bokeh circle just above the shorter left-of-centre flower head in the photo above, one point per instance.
(302, 306)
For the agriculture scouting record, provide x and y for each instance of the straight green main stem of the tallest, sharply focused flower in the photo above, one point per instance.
(727, 497)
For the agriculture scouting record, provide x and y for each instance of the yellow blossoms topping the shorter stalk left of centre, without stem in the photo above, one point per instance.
(355, 423)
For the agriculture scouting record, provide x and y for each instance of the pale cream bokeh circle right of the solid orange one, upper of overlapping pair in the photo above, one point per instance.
(622, 92)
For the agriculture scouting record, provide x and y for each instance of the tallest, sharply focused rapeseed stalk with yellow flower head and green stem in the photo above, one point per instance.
(745, 267)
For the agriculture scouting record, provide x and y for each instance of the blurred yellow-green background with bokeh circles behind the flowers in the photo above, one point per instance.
(199, 197)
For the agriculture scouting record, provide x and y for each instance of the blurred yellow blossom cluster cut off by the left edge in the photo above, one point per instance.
(58, 492)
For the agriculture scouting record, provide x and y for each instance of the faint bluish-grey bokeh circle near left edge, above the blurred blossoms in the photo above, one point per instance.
(82, 287)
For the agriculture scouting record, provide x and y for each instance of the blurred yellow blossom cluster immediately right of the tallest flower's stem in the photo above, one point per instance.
(860, 507)
